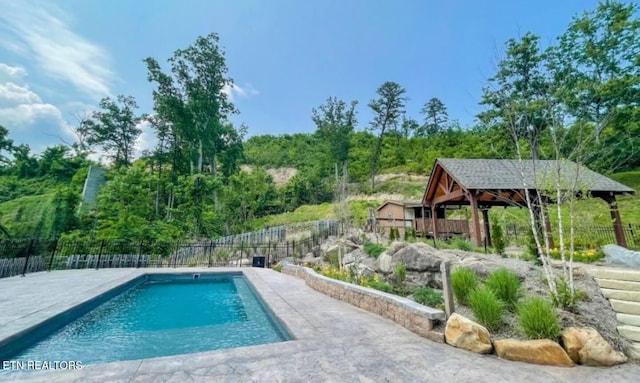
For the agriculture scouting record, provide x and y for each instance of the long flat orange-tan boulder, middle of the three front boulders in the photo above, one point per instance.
(542, 351)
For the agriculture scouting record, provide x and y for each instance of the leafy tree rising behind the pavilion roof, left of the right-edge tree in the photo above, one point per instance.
(516, 95)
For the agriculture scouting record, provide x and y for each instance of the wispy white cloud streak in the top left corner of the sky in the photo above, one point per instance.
(40, 31)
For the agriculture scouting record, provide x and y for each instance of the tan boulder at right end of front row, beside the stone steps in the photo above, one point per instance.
(586, 346)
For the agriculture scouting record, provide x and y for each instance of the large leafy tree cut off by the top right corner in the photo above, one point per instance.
(596, 65)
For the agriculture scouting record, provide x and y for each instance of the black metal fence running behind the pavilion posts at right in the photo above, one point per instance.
(587, 236)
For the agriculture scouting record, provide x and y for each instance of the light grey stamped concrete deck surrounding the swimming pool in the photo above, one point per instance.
(335, 342)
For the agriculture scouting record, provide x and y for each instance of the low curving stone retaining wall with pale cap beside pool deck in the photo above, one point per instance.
(407, 313)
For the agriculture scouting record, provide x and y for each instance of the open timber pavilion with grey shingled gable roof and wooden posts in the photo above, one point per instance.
(485, 183)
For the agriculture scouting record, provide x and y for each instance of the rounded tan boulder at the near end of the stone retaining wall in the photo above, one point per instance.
(466, 334)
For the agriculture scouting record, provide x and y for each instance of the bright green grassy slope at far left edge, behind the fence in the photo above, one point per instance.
(28, 216)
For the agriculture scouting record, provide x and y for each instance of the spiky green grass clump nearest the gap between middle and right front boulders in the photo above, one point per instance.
(538, 320)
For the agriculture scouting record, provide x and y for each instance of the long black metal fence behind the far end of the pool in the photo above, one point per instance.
(31, 255)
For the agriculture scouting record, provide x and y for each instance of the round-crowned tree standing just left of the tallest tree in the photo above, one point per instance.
(114, 128)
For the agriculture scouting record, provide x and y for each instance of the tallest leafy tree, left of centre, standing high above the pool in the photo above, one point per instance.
(194, 99)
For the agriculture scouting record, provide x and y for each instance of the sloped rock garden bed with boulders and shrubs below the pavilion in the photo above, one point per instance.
(585, 334)
